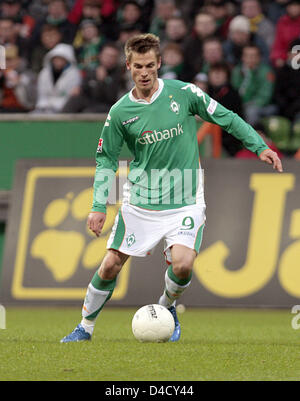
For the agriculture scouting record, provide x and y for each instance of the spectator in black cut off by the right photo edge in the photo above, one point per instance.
(287, 85)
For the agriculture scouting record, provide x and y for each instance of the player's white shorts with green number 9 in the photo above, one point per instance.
(137, 231)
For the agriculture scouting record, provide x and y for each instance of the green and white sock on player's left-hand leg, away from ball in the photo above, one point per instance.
(98, 293)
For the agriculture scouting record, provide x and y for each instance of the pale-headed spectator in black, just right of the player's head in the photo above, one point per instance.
(204, 26)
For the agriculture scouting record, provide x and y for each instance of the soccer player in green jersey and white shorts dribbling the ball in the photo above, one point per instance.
(164, 196)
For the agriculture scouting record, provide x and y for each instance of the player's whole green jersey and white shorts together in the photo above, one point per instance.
(165, 178)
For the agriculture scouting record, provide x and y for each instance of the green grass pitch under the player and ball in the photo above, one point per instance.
(216, 344)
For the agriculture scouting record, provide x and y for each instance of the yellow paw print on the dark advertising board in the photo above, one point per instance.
(62, 250)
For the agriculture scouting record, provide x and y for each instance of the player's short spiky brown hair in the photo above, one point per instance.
(142, 44)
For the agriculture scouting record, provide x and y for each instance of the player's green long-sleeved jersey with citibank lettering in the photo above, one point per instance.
(165, 172)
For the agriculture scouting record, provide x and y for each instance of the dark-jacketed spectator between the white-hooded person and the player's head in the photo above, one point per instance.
(100, 87)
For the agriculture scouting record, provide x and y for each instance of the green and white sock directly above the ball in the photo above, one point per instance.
(174, 287)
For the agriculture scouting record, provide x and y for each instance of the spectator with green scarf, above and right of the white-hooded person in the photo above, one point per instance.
(92, 42)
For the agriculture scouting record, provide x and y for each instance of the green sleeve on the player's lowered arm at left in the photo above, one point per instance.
(108, 150)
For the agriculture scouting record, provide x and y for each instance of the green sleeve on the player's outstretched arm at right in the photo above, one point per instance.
(210, 110)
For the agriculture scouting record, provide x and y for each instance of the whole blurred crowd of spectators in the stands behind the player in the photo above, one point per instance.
(66, 56)
